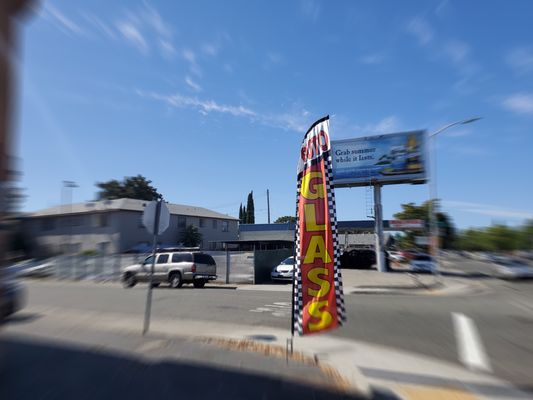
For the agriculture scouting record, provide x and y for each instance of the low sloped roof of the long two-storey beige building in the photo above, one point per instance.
(125, 205)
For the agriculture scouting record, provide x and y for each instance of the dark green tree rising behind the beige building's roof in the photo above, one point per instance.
(131, 187)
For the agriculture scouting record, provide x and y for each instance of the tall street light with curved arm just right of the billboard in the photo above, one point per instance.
(434, 229)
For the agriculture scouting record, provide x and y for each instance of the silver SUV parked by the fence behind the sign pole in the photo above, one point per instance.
(174, 268)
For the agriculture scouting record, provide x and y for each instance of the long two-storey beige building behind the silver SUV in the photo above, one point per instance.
(112, 226)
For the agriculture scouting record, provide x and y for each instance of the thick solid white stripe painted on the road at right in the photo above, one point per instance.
(471, 350)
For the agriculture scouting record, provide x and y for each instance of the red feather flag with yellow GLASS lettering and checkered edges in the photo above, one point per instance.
(318, 303)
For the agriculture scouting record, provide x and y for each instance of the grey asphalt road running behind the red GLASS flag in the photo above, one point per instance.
(502, 314)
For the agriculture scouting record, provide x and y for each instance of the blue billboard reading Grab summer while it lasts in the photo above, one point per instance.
(383, 159)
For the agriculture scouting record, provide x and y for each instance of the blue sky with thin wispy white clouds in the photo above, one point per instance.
(211, 99)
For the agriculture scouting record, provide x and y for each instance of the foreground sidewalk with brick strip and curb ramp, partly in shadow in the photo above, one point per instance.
(223, 359)
